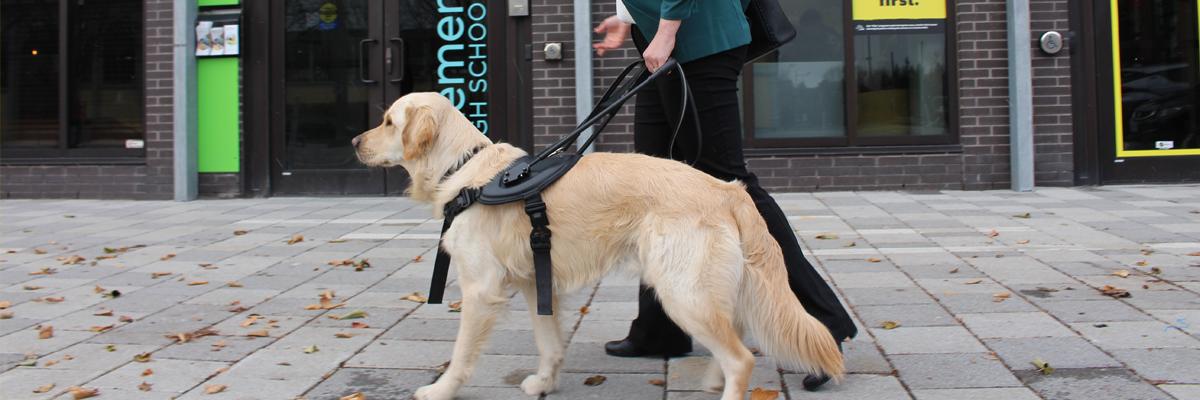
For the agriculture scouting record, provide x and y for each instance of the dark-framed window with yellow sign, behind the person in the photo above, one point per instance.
(861, 73)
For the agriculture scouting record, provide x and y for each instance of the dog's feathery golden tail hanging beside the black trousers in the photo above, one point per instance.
(771, 311)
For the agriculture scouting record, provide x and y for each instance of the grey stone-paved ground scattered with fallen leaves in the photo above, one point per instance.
(955, 342)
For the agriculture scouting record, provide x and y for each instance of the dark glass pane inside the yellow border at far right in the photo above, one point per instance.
(1160, 74)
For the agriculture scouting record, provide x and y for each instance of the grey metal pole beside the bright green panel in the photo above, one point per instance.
(184, 98)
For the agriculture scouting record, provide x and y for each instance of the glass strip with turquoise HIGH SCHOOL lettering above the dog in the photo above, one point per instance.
(463, 69)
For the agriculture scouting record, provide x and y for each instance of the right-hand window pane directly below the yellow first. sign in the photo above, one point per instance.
(902, 85)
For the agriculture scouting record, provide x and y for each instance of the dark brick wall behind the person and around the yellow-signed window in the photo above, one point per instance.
(983, 112)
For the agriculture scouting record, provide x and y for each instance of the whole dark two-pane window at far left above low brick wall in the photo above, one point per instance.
(71, 83)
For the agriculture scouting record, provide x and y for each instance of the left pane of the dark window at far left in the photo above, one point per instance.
(29, 74)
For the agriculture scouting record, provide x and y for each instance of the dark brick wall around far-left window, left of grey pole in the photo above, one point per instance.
(152, 181)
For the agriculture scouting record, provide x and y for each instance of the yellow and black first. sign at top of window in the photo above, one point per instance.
(899, 16)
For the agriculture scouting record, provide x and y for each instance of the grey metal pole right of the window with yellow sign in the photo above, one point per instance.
(1021, 97)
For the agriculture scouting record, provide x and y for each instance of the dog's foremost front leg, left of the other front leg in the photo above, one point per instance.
(483, 300)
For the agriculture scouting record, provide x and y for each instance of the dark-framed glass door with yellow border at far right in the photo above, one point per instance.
(1155, 91)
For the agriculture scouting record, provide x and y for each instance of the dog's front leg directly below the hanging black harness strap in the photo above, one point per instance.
(549, 336)
